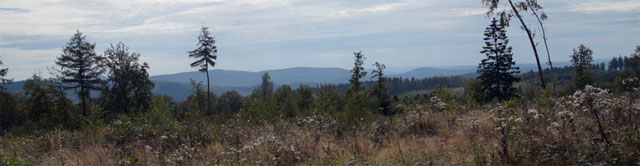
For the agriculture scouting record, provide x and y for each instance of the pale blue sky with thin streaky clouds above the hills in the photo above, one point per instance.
(254, 35)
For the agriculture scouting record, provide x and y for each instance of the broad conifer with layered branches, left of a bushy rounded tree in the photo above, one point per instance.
(80, 68)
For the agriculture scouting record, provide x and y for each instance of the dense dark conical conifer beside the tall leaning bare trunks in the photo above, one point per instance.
(497, 70)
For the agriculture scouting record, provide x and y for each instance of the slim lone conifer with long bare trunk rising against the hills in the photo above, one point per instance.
(206, 53)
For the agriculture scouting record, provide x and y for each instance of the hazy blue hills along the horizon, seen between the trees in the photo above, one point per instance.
(178, 85)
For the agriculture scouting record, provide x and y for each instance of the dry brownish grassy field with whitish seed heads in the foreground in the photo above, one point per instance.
(591, 126)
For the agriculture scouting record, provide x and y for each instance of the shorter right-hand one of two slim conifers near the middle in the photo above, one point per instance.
(380, 91)
